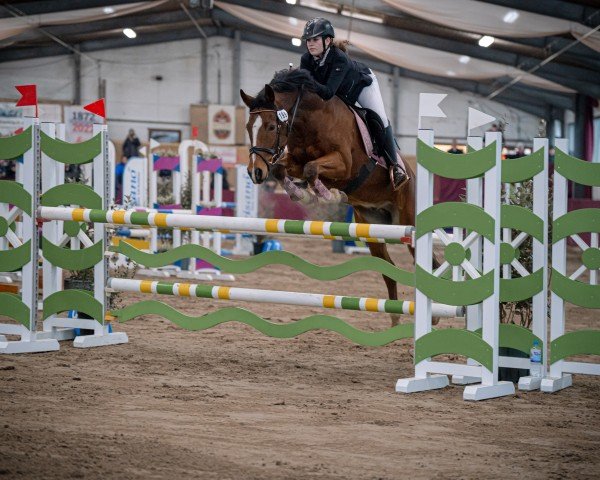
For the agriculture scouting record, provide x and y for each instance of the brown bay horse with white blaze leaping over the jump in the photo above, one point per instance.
(295, 134)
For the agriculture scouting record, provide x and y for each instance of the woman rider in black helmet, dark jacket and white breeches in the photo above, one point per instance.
(352, 81)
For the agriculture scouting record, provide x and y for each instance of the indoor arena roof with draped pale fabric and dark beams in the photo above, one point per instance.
(542, 54)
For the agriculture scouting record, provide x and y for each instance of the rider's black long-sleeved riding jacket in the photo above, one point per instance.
(338, 75)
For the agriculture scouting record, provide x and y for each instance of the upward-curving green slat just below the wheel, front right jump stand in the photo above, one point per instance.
(467, 292)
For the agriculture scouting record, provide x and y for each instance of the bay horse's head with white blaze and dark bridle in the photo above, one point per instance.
(267, 129)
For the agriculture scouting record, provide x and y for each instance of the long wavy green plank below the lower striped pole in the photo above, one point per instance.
(275, 330)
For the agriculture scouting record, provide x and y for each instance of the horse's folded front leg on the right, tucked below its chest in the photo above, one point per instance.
(333, 167)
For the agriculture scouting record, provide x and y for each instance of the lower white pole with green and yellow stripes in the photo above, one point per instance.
(402, 307)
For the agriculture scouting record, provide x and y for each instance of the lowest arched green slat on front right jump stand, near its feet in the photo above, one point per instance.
(457, 341)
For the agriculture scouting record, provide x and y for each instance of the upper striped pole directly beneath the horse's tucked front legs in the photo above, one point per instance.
(361, 231)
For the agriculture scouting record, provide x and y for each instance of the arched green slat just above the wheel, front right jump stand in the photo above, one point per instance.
(455, 214)
